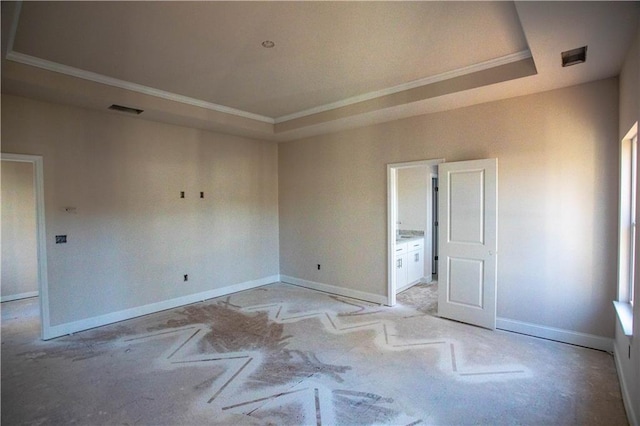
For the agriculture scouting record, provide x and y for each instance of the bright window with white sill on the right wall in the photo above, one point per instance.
(628, 229)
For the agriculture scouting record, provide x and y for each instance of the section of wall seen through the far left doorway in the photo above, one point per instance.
(19, 254)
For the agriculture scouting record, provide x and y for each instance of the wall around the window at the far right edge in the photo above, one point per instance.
(627, 350)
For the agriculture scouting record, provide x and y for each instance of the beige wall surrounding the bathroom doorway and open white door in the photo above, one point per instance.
(557, 200)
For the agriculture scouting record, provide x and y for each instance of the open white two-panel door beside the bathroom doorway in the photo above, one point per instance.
(467, 234)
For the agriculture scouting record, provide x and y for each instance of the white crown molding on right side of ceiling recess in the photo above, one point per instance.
(482, 66)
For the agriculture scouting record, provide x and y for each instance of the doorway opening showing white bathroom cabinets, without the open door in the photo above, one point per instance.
(412, 225)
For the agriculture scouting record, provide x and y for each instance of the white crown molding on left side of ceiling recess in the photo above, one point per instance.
(134, 87)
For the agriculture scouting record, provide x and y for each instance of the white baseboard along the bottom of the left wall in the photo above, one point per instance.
(88, 323)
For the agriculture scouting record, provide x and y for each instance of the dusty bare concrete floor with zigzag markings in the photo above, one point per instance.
(285, 355)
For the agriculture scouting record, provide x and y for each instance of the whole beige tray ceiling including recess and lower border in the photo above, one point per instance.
(332, 62)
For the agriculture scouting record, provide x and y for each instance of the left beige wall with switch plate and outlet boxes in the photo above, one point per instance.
(130, 237)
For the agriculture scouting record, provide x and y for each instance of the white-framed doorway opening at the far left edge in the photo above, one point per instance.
(24, 283)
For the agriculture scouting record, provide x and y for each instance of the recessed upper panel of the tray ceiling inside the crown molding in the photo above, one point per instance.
(323, 52)
